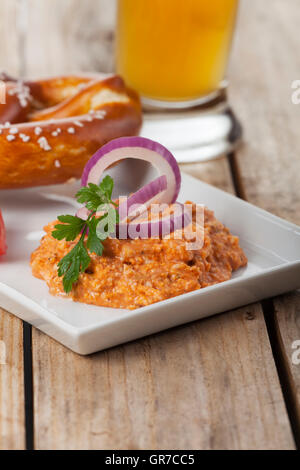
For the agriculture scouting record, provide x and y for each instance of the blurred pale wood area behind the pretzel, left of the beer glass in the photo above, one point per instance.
(43, 37)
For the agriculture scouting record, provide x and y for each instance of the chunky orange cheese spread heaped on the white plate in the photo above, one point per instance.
(135, 273)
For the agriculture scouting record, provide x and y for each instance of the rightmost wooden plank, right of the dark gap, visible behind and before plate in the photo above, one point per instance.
(269, 162)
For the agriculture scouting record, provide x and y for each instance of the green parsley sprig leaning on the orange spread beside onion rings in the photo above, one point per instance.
(97, 198)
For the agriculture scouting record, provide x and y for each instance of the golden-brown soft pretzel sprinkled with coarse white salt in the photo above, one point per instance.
(50, 128)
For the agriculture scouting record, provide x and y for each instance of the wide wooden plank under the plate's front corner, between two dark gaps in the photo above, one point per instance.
(208, 385)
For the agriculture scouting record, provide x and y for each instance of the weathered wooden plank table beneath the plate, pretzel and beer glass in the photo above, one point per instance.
(227, 382)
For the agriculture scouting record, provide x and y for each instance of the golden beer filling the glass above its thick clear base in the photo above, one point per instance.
(175, 52)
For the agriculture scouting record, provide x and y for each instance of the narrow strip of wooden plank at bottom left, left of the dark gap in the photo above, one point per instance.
(12, 432)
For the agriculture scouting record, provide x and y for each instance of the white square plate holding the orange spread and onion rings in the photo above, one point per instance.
(272, 246)
